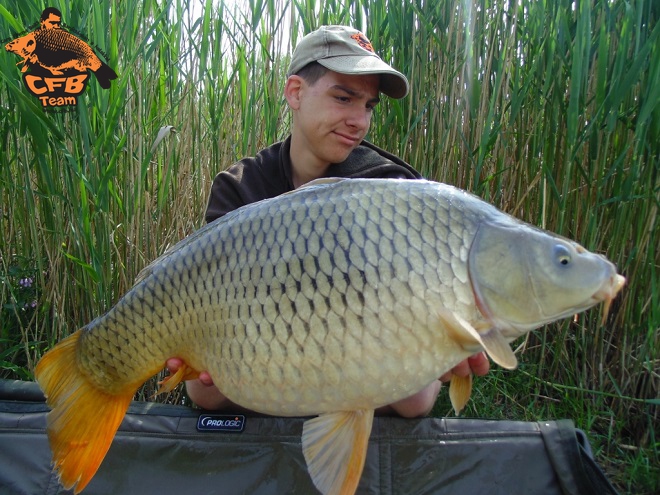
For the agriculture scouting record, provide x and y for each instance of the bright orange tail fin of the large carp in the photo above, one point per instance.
(83, 419)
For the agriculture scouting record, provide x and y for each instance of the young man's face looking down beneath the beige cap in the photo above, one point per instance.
(332, 116)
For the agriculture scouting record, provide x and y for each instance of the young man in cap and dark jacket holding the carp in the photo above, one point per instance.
(333, 86)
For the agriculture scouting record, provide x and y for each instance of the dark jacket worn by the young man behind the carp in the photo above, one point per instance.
(268, 174)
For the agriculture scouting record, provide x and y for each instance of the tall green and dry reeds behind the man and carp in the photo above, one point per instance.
(550, 109)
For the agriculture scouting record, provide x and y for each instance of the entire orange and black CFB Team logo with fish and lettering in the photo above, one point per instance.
(56, 64)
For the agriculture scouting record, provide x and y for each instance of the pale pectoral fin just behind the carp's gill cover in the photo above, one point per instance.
(492, 341)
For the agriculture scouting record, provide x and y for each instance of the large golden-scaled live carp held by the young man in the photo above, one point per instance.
(331, 300)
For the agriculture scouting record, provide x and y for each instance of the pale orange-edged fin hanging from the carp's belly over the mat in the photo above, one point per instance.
(335, 448)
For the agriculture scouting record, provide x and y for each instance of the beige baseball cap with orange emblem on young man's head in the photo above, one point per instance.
(347, 51)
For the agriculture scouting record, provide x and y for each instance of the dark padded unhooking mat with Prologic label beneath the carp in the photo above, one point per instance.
(160, 449)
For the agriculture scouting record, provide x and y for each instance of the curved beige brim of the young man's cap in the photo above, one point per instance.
(392, 82)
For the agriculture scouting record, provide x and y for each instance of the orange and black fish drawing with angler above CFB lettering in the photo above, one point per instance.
(57, 51)
